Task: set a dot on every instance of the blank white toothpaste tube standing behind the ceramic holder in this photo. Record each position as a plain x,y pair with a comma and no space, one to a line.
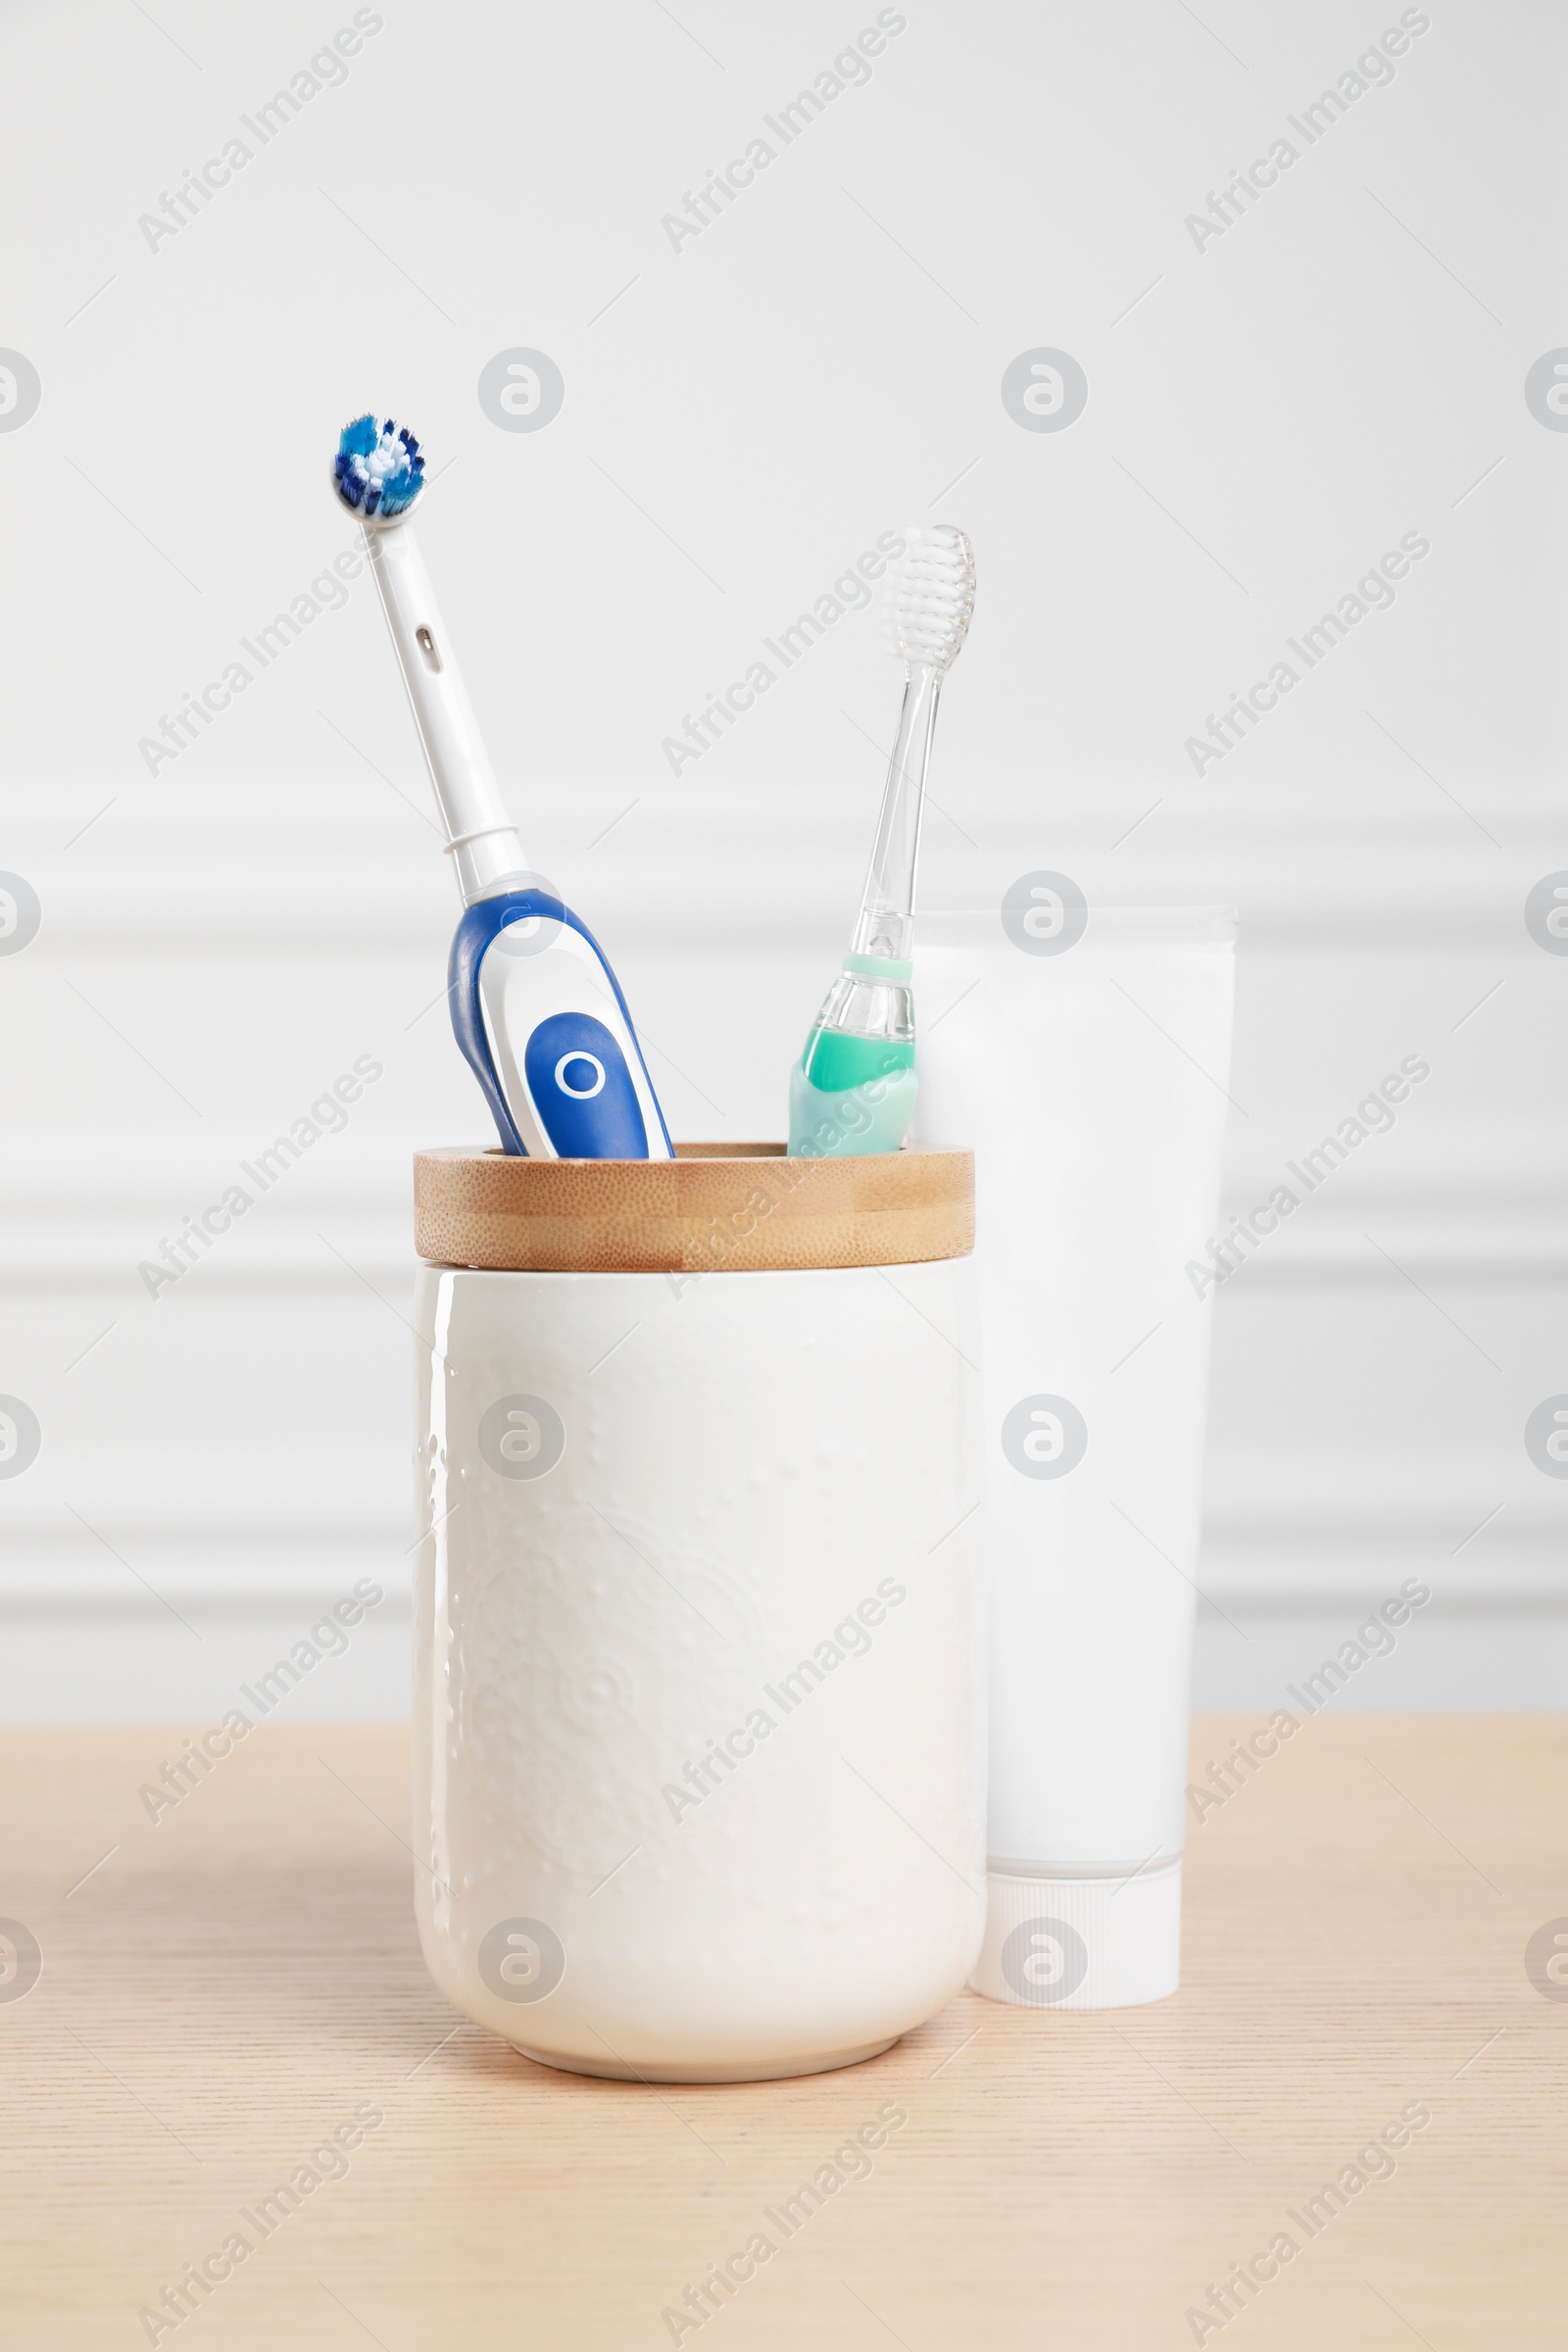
1085,1055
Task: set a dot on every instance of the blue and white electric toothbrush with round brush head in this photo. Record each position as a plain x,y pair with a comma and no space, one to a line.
535,1005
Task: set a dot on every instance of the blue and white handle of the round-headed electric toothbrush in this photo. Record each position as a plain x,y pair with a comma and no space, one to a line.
544,1027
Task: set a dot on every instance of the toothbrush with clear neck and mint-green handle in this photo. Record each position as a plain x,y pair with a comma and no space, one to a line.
852,1093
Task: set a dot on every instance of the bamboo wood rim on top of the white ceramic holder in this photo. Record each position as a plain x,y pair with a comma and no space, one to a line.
713,1210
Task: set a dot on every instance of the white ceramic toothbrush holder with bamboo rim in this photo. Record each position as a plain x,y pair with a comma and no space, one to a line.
699,1716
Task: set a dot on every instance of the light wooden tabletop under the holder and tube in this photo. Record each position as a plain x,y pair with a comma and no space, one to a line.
239,1982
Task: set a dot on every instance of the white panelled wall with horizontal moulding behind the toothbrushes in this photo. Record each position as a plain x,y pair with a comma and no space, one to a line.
744,415
